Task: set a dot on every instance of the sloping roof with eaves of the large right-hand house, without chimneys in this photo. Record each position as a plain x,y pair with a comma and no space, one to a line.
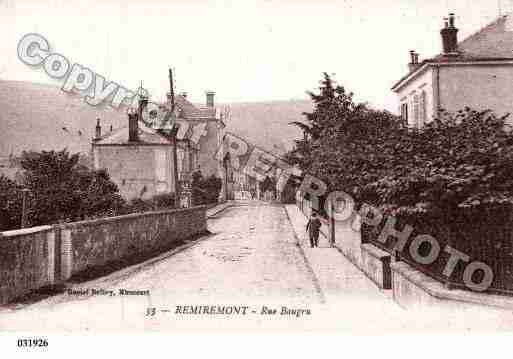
494,42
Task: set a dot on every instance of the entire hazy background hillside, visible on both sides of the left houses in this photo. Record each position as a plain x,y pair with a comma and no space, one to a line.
42,117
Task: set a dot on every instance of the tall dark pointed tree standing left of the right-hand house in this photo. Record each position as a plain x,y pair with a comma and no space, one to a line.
340,138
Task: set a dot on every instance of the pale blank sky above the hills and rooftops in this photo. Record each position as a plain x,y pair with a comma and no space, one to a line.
245,51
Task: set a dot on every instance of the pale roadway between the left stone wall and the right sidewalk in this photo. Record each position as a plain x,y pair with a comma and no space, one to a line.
251,259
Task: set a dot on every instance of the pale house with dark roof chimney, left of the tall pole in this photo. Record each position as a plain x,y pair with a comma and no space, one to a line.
138,158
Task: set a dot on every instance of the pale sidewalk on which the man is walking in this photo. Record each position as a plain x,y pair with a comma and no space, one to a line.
338,278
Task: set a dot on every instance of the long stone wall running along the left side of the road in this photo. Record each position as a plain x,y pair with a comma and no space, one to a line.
43,256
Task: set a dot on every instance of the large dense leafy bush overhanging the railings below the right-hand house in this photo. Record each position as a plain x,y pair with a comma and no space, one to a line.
458,163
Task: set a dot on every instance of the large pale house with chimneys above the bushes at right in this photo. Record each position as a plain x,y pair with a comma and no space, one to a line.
476,72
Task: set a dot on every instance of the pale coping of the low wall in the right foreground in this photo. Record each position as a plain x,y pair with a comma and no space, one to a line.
438,290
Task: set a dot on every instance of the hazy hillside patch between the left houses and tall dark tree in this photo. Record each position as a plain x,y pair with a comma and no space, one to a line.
266,124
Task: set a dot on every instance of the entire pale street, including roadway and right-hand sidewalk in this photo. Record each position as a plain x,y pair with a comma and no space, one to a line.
249,273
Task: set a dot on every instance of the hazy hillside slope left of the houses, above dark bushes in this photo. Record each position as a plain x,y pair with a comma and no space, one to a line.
36,116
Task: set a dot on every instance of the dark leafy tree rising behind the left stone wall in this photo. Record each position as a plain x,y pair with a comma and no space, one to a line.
61,189
